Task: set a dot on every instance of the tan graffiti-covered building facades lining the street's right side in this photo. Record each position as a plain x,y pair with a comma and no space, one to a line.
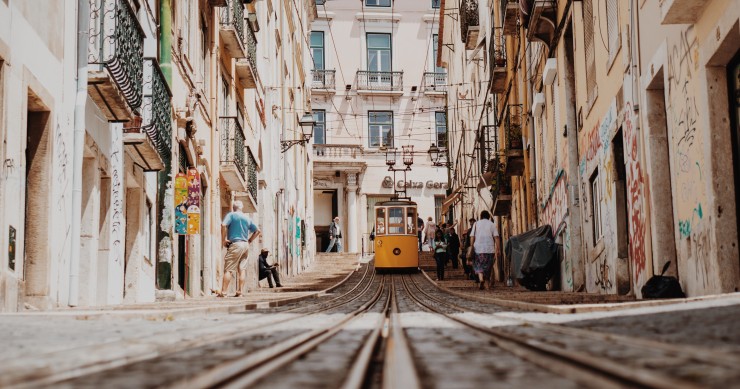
627,119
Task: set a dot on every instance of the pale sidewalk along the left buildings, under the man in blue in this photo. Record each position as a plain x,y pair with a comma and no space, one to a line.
325,272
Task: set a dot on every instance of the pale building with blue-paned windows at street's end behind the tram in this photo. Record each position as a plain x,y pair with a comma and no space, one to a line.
384,92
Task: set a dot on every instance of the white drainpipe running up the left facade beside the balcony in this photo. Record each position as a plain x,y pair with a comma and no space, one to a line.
83,27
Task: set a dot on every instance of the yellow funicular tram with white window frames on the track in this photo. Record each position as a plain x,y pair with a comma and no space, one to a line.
396,242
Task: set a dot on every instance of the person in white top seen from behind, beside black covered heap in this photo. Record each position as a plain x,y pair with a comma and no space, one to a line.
484,239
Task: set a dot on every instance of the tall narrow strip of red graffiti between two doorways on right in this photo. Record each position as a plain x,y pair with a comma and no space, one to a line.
636,192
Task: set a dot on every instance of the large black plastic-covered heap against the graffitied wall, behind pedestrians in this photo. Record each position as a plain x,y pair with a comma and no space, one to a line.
532,256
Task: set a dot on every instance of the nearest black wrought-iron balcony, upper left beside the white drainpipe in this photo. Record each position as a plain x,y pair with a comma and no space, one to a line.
116,59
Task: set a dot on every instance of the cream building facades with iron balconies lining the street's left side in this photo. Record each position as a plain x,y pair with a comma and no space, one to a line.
109,116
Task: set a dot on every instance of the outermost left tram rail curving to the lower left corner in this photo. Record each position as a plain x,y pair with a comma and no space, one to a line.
122,371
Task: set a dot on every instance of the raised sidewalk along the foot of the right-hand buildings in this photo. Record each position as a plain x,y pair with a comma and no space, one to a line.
518,297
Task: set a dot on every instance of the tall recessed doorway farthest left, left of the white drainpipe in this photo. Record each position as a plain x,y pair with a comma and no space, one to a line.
36,269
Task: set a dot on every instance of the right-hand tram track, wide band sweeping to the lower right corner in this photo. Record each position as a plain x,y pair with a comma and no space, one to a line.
595,358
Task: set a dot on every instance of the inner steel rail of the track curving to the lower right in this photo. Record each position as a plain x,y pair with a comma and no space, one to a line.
585,368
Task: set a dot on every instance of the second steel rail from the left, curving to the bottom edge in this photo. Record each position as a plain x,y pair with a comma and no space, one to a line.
248,370
